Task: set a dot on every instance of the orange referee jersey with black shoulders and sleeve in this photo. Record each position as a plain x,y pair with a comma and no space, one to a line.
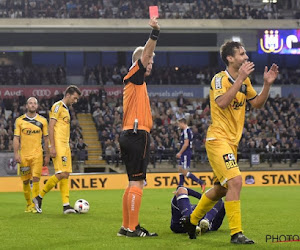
136,104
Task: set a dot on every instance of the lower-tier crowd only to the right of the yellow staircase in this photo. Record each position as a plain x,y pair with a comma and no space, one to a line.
273,131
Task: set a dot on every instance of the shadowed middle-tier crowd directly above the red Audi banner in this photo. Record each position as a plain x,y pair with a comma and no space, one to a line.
113,75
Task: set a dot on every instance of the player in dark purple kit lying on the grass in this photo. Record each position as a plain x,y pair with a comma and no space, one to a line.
181,206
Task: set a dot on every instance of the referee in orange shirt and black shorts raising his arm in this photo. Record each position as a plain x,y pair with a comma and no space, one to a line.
135,138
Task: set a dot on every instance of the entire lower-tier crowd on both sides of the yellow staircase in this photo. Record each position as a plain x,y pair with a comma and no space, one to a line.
273,131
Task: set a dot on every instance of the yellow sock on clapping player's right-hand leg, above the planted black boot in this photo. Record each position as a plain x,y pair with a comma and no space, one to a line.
233,212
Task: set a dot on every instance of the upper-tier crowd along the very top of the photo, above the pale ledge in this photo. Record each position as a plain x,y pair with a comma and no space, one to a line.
184,9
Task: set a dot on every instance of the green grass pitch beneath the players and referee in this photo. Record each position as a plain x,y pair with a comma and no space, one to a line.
265,211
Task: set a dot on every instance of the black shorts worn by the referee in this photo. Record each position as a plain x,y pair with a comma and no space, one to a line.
135,151
